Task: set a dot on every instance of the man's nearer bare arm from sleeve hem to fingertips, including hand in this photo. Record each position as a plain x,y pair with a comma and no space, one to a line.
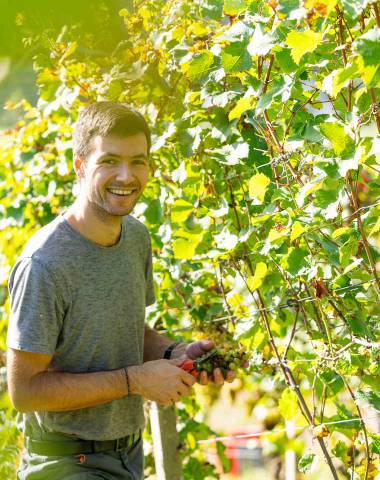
33,387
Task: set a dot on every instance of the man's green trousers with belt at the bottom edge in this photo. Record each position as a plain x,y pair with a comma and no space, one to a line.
126,464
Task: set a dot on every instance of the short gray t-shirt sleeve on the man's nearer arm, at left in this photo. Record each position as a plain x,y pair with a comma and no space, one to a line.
37,309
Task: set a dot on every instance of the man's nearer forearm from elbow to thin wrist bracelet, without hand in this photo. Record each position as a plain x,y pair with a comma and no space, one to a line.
53,391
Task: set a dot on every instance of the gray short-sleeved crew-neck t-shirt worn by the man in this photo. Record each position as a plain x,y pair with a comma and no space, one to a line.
85,304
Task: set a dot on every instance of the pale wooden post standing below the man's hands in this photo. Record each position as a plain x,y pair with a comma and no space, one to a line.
165,442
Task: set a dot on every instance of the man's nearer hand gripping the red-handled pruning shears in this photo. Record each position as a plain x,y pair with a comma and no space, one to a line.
162,381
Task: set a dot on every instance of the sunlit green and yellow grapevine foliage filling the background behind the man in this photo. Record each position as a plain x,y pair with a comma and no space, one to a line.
265,187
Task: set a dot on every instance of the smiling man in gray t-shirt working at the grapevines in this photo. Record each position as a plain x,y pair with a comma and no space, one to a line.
80,357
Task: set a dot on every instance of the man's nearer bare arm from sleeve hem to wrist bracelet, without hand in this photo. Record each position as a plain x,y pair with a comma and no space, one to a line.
32,387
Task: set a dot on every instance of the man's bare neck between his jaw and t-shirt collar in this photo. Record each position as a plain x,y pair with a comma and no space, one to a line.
93,223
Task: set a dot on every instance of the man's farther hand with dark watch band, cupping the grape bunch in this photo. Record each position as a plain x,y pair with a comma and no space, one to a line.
197,349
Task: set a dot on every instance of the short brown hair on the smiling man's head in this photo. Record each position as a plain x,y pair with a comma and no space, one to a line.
106,118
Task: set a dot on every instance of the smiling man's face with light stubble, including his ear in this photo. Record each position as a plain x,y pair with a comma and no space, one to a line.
115,173
